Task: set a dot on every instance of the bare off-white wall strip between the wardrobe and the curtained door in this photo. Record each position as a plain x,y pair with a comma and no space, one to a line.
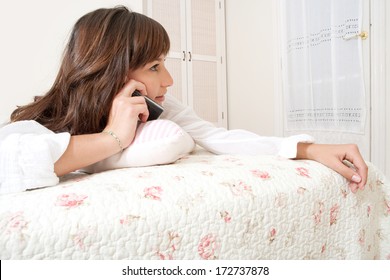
250,62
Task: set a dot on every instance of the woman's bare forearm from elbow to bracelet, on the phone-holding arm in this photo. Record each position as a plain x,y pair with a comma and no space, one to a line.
84,150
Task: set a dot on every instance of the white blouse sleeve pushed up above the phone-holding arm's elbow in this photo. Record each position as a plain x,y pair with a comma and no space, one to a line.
28,152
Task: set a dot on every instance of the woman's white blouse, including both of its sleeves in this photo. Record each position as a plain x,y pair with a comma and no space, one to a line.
28,150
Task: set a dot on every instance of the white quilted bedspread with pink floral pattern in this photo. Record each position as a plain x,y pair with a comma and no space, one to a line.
201,207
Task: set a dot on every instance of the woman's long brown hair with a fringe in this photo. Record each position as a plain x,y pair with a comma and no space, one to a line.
103,47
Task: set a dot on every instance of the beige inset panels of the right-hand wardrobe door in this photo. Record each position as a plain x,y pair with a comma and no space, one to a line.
202,66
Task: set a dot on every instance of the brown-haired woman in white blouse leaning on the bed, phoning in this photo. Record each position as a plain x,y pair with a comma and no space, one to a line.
90,108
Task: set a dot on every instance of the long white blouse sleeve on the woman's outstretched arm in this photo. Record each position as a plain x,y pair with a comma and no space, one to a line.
222,141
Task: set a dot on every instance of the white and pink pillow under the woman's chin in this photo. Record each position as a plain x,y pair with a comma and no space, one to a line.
156,142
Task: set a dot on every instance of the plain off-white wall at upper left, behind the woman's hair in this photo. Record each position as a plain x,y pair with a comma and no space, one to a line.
34,34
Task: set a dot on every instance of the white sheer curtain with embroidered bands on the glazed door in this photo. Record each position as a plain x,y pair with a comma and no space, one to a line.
322,65
